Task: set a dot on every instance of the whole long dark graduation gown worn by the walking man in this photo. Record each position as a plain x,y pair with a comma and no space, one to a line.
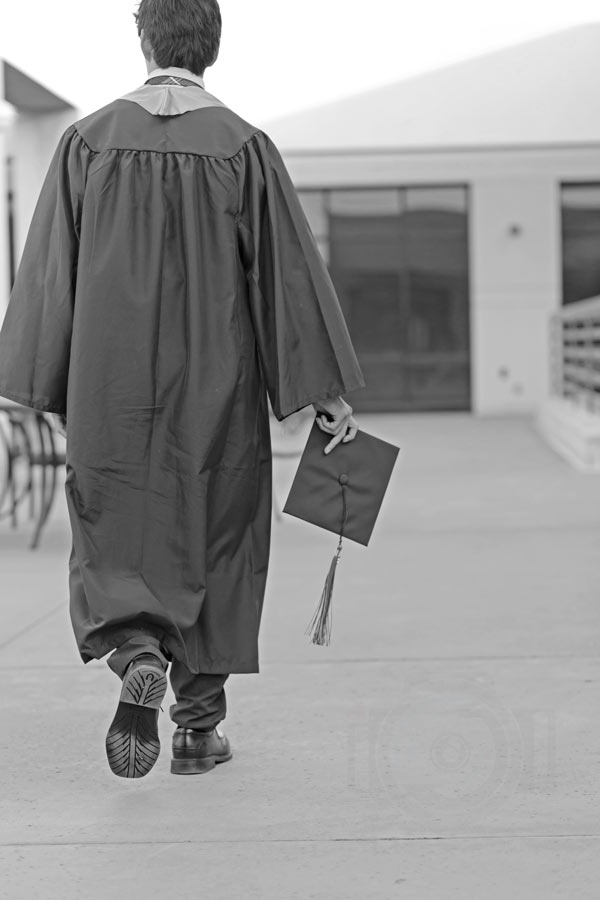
168,284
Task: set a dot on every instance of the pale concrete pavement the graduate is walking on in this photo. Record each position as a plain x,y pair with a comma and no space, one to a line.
445,745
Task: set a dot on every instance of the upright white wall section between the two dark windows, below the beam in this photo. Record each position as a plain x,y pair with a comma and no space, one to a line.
515,287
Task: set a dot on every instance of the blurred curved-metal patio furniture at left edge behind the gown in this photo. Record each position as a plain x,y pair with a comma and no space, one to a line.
30,455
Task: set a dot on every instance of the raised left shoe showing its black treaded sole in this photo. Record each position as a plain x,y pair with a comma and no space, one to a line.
132,744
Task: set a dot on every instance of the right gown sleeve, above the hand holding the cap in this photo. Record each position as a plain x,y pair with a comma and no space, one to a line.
303,342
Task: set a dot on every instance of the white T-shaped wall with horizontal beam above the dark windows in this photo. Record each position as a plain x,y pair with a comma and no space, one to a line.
515,279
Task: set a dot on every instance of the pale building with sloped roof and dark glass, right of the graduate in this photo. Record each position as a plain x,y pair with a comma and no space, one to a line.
457,212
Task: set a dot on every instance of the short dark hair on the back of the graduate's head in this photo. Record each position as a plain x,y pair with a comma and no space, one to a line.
182,33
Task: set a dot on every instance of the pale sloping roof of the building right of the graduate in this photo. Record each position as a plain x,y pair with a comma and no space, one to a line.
539,93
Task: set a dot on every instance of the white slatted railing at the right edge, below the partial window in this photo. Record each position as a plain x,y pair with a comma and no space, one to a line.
575,354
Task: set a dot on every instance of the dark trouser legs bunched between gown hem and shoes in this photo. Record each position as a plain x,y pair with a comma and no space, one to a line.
200,699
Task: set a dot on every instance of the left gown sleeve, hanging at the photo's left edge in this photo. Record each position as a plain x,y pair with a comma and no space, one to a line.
35,339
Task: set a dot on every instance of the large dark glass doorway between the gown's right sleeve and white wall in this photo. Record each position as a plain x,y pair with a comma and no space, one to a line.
399,259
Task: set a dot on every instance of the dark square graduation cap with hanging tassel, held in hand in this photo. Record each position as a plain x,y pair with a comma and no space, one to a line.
341,492
